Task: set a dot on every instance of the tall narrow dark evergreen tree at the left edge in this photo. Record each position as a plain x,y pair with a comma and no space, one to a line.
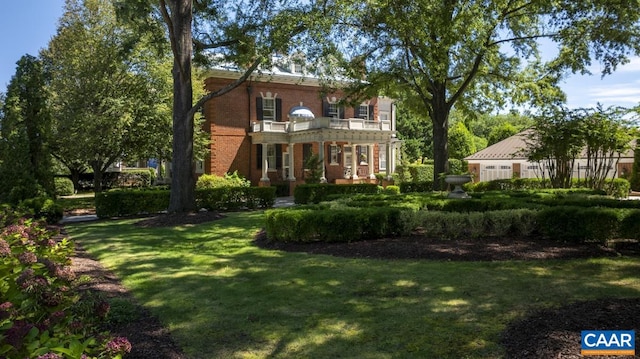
25,130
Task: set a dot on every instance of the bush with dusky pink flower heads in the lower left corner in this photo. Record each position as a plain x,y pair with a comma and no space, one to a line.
42,313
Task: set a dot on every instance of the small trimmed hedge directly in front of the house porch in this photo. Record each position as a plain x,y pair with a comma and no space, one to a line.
316,193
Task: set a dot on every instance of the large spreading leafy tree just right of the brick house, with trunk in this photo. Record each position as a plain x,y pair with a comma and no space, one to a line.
479,54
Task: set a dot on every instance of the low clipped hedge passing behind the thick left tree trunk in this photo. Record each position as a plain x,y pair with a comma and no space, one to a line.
128,202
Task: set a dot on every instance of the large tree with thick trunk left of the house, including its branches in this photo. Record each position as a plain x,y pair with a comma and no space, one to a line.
244,33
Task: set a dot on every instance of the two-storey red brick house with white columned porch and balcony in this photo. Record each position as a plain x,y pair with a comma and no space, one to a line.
267,127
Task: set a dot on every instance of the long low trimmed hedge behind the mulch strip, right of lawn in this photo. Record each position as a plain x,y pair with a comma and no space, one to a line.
572,219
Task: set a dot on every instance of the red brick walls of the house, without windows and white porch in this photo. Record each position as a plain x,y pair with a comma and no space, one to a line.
229,119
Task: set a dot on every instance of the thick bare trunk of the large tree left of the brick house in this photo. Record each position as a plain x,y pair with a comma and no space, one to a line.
182,197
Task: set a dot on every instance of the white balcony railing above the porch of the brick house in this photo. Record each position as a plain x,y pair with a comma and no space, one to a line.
322,122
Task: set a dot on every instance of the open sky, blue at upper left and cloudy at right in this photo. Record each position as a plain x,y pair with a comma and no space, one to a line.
26,26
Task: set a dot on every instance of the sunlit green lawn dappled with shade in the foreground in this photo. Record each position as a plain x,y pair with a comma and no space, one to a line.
222,297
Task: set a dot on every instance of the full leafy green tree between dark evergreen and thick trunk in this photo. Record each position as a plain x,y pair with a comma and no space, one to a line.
108,101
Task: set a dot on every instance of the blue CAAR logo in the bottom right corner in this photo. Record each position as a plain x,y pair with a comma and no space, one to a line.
608,342
